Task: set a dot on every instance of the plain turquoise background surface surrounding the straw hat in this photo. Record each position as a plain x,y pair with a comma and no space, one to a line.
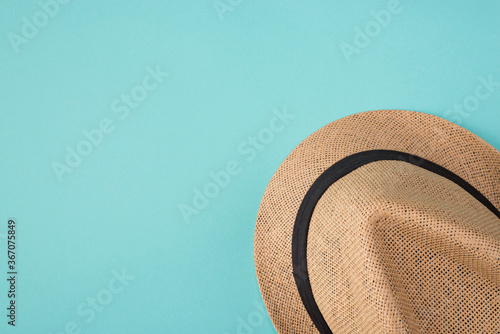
119,208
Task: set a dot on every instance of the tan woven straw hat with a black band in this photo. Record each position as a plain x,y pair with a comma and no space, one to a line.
383,222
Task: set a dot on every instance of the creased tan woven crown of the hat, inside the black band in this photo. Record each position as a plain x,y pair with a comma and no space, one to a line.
384,239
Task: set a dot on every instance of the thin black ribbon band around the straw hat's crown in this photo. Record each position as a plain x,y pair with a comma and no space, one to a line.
322,183
